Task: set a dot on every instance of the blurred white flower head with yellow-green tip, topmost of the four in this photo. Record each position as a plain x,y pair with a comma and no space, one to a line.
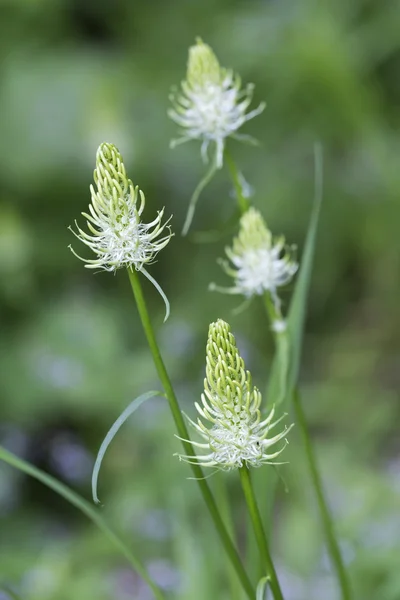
211,105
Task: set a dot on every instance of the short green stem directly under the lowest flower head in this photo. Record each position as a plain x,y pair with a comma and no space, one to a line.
259,532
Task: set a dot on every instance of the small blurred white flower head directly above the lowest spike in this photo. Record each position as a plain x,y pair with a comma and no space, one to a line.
260,263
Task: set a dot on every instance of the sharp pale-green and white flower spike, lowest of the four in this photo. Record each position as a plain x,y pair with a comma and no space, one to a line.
236,435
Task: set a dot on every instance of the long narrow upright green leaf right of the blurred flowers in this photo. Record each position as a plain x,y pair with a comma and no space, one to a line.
297,310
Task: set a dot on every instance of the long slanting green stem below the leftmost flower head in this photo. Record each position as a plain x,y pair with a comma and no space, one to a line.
183,433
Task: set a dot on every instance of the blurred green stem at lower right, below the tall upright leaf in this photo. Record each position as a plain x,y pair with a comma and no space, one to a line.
326,518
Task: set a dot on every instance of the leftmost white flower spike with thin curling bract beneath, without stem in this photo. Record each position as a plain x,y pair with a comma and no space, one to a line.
116,233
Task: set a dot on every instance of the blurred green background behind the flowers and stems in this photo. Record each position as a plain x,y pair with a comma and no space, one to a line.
75,73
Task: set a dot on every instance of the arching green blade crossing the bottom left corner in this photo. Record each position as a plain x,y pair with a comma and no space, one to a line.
85,507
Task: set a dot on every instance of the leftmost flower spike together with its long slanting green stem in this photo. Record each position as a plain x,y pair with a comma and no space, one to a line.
119,239
